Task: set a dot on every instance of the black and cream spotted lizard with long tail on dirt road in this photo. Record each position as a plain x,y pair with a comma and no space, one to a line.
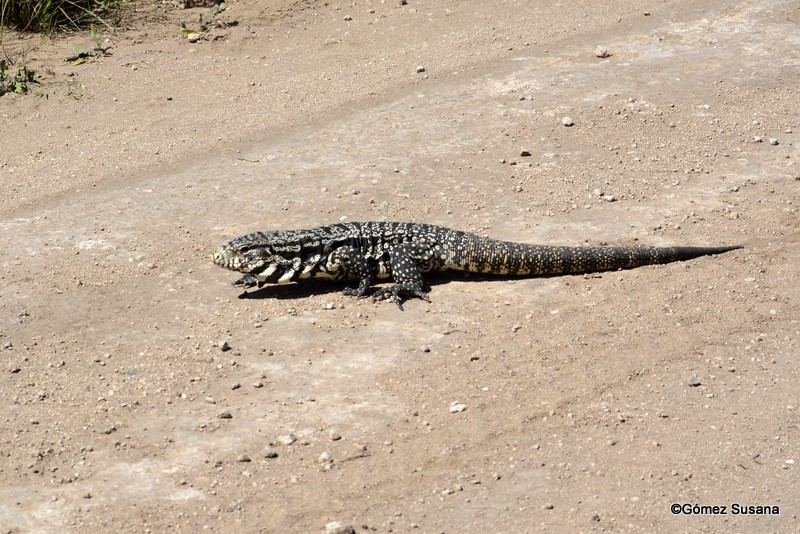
369,251
